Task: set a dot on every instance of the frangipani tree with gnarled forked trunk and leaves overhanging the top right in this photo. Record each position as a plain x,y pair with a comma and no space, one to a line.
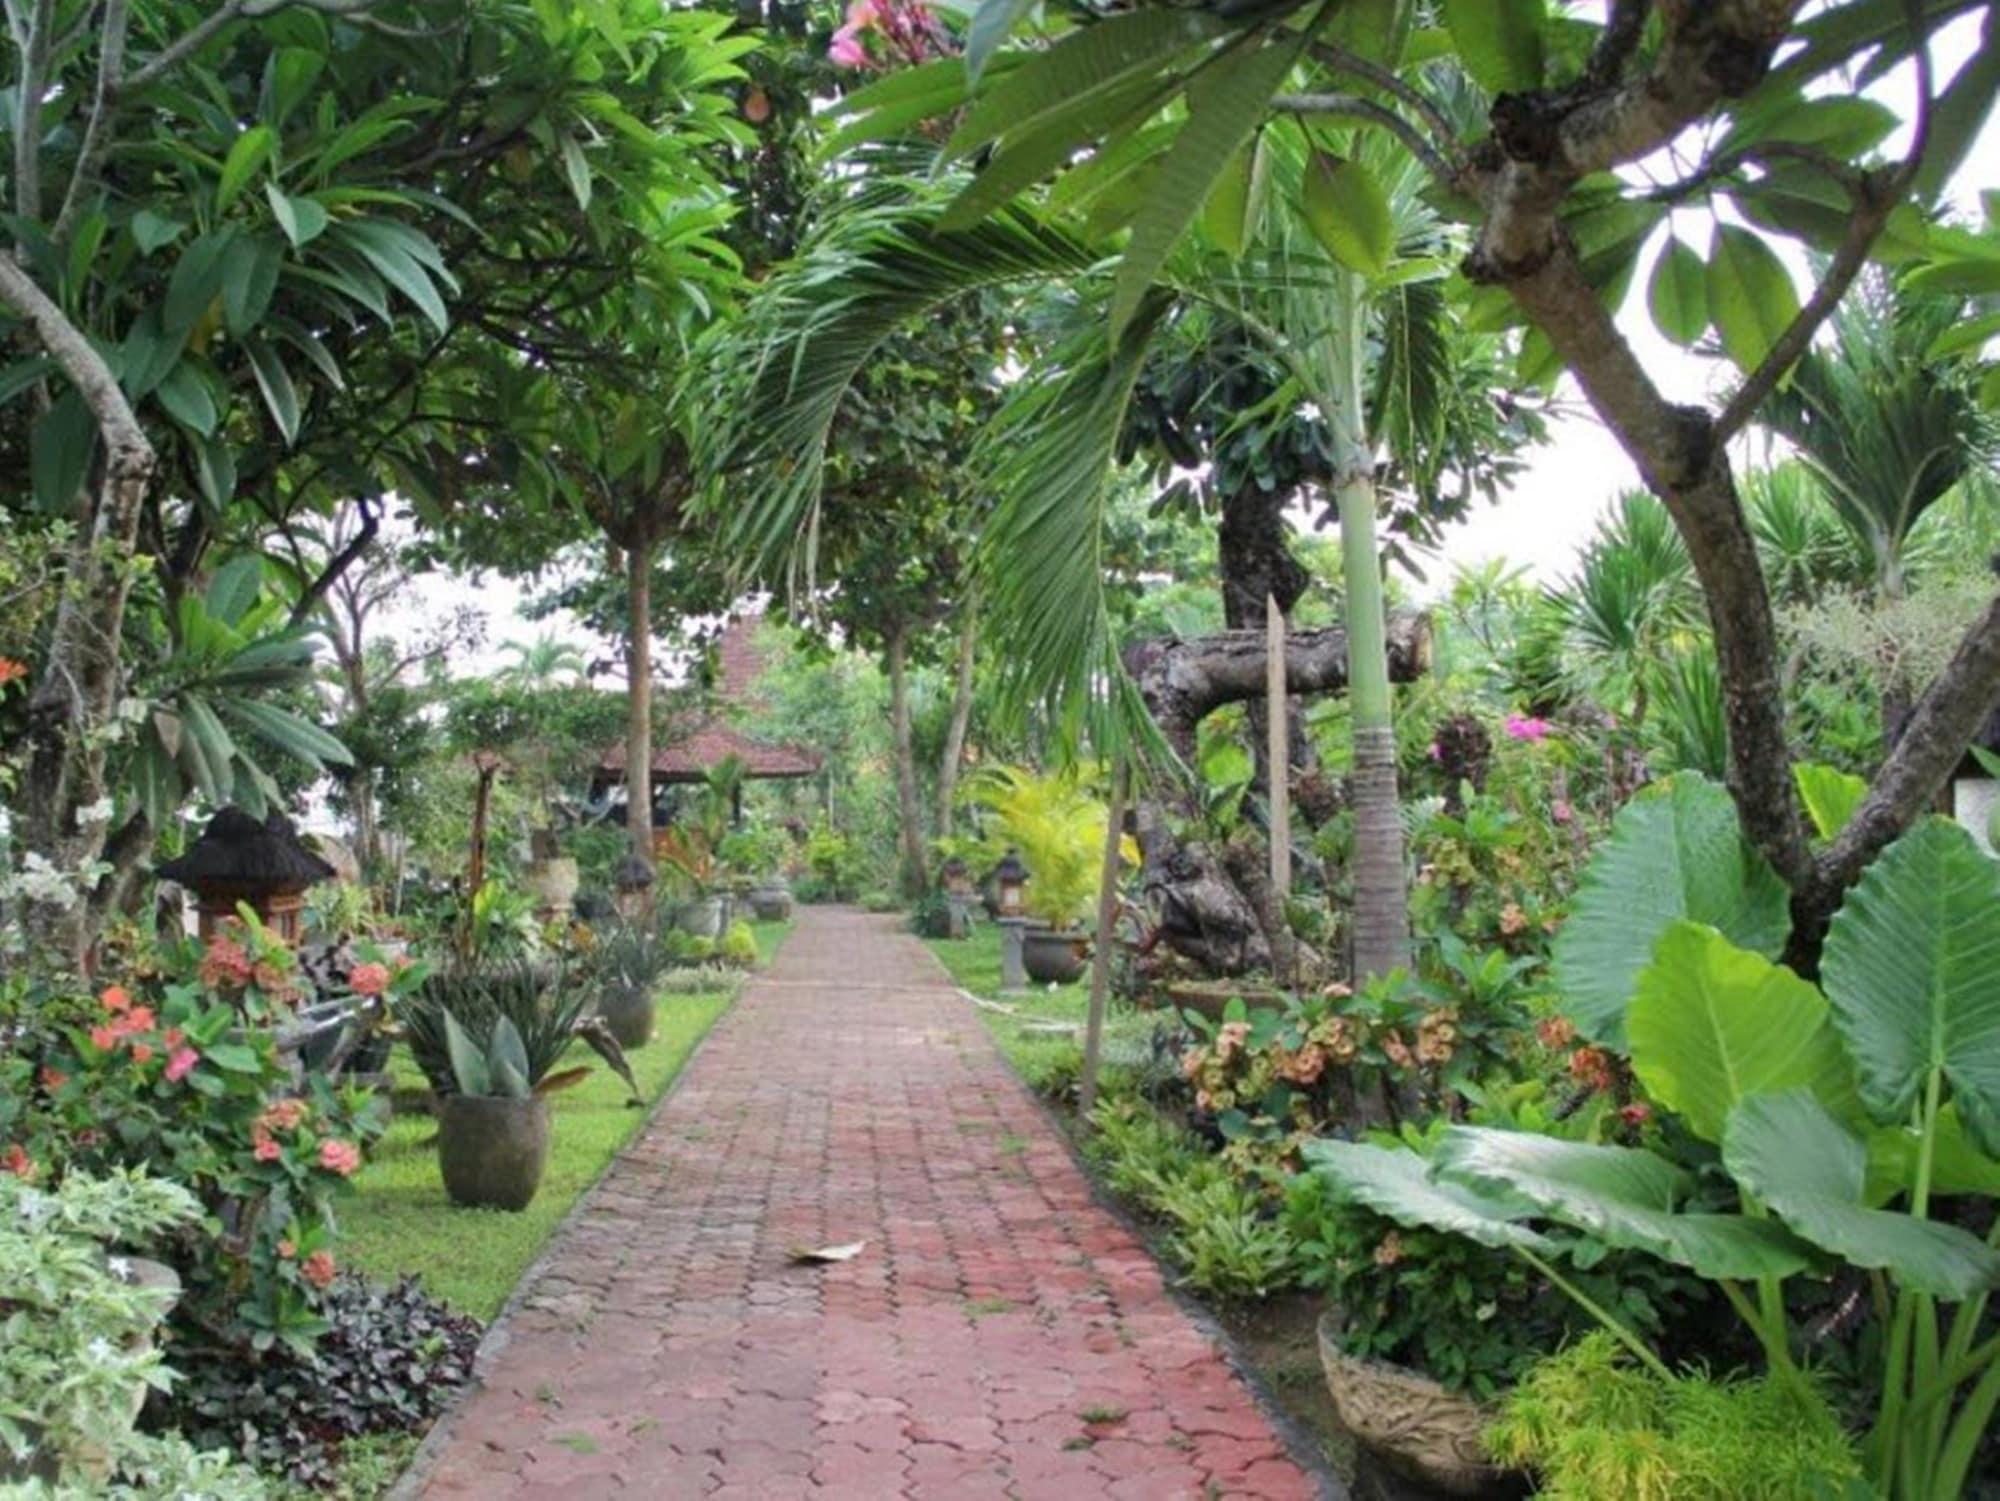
1143,117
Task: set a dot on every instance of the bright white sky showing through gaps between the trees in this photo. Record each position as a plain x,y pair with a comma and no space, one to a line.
1539,525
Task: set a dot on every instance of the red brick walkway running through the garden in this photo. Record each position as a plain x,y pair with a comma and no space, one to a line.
999,1338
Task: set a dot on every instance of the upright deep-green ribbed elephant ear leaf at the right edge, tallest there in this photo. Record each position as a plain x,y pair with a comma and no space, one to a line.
1911,970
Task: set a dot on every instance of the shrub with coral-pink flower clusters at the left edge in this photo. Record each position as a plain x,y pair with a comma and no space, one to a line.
185,1078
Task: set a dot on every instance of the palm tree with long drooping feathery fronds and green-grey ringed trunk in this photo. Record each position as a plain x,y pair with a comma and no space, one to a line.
1053,447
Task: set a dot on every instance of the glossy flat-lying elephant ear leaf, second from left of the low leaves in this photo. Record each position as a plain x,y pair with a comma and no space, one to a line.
1619,1196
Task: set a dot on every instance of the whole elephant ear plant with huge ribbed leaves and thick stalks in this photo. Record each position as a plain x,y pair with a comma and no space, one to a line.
1843,1112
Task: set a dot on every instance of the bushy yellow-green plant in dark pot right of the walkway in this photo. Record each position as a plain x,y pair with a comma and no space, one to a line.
1059,830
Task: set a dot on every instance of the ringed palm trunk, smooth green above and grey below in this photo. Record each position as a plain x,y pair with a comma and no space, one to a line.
1381,890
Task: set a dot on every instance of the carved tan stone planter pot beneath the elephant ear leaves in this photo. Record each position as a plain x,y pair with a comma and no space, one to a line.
1427,1440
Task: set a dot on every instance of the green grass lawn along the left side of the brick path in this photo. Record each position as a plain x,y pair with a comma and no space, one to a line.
399,1220
